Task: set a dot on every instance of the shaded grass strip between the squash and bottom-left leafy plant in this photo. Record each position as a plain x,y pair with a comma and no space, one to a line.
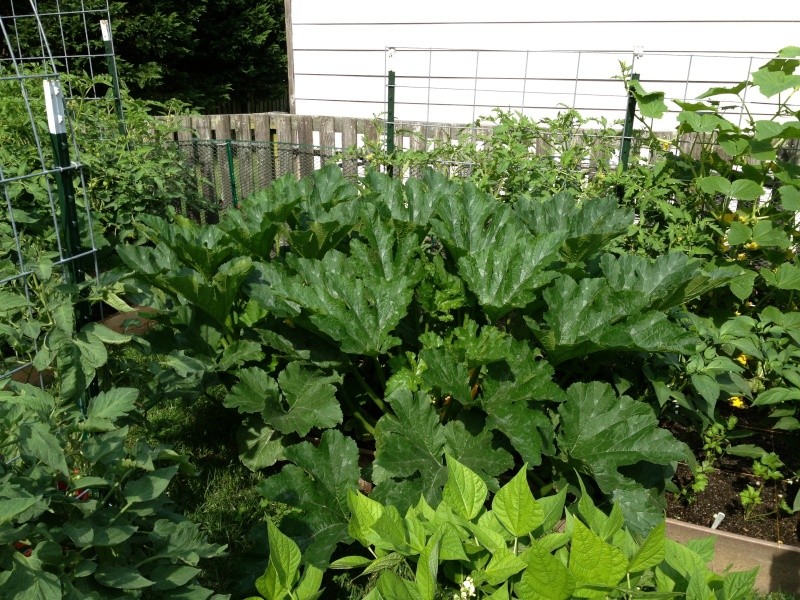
221,494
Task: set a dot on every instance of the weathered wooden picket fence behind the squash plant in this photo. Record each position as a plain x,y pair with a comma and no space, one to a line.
236,155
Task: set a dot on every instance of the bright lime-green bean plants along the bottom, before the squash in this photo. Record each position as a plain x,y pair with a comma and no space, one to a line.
509,546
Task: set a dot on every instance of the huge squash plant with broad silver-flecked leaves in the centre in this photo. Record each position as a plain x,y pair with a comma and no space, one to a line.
423,318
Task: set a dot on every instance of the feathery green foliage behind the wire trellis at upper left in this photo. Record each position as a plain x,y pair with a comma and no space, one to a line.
127,171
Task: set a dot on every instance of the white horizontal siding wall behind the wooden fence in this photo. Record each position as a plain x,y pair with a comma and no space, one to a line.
523,54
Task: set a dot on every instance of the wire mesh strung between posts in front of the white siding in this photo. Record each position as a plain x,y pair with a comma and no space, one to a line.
457,84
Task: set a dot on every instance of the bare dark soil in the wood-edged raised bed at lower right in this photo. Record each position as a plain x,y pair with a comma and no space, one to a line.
732,475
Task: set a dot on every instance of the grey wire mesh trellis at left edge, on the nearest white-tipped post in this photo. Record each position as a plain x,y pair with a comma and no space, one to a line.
35,251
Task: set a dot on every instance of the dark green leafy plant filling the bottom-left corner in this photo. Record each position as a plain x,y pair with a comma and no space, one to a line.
83,508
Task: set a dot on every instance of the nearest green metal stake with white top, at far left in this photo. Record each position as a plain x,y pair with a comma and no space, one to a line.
57,125
